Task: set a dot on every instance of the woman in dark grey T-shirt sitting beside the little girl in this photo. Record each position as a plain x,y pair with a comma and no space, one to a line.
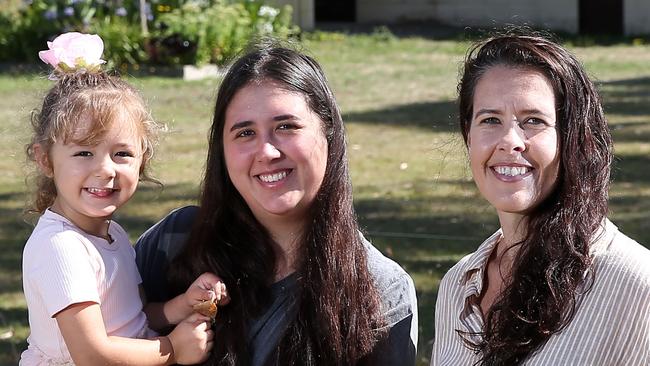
277,224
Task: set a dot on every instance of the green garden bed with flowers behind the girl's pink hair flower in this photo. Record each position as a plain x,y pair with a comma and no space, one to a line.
159,32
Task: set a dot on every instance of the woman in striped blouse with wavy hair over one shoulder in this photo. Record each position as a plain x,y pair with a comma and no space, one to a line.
558,284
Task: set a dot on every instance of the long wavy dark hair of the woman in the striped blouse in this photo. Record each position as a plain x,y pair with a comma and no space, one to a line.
553,259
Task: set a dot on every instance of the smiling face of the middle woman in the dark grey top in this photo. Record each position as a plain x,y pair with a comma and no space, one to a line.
275,151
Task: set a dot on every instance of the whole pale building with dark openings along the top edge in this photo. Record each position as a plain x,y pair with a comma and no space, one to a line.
616,17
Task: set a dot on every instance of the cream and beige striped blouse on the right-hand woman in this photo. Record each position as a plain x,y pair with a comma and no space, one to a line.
611,325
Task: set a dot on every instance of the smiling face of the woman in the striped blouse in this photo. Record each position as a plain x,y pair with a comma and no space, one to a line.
513,141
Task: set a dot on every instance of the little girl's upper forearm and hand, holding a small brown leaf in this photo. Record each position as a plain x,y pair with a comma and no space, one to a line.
206,287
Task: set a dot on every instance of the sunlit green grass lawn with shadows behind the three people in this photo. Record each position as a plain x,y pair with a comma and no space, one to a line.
413,191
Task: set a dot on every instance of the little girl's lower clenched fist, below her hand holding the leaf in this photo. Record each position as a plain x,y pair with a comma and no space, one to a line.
192,340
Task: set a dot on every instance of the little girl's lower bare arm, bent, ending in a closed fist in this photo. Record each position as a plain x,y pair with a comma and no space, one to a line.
82,327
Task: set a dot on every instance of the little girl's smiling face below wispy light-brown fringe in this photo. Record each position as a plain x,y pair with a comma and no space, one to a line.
92,181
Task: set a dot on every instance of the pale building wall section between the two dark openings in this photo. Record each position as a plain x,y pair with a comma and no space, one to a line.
553,14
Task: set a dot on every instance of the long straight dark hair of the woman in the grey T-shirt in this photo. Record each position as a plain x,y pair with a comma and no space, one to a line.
338,304
